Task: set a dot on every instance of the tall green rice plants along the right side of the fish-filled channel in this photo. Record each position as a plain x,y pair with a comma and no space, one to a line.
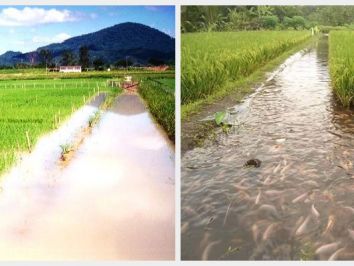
341,54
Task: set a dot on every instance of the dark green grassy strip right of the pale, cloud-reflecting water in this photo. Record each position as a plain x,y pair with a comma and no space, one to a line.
160,97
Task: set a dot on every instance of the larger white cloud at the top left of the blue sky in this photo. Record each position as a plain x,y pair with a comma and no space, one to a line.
29,16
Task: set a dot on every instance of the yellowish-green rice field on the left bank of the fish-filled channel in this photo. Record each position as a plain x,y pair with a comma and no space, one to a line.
210,60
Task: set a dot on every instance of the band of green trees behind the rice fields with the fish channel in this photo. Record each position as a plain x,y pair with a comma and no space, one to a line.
236,18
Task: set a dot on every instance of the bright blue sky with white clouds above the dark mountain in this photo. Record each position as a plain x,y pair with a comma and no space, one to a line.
25,28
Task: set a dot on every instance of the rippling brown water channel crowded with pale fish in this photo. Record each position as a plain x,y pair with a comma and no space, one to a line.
300,198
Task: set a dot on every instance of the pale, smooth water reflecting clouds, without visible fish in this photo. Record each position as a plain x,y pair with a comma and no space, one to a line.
115,200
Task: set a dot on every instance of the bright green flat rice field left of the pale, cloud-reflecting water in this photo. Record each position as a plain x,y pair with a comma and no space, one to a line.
31,108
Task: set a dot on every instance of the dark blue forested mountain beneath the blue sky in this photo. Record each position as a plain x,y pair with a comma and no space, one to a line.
135,41
